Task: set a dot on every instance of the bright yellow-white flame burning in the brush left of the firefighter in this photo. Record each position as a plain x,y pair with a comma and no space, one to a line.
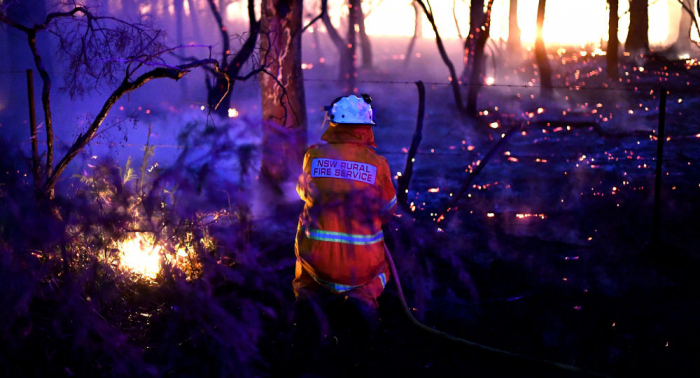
140,255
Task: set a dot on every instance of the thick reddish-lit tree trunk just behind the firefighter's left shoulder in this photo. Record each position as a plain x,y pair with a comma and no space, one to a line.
284,121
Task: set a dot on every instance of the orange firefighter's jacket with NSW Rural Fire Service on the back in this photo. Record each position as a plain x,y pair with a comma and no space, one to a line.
349,195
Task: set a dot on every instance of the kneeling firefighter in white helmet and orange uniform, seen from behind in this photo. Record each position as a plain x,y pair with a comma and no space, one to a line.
349,195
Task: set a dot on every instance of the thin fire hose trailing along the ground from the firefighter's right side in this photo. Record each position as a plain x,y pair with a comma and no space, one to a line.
462,341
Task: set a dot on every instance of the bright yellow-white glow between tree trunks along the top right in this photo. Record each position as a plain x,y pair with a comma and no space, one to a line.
566,22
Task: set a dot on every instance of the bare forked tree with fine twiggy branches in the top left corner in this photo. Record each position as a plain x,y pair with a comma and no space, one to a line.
100,52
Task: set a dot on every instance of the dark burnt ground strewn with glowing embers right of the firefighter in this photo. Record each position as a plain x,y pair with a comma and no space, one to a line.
549,253
